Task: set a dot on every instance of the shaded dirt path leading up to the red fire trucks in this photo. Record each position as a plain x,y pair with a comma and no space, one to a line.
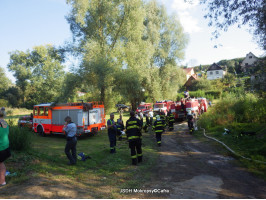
189,168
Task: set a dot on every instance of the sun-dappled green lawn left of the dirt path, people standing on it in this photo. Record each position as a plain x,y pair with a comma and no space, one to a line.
46,159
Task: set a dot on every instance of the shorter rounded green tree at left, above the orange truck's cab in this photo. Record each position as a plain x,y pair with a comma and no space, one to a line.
39,73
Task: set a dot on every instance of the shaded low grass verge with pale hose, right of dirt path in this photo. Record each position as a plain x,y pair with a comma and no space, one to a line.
253,147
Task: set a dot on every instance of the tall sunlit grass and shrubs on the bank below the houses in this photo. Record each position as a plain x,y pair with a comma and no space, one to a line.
239,108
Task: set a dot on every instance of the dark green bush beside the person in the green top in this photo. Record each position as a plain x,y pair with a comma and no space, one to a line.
19,138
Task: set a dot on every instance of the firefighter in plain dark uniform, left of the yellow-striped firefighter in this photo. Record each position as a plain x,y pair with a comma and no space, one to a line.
112,130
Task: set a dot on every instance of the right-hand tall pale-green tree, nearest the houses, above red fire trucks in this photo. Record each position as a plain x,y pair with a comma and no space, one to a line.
166,36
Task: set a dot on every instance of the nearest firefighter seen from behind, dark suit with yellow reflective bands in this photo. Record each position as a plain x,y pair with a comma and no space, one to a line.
133,131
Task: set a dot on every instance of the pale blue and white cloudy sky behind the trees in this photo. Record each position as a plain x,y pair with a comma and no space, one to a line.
28,23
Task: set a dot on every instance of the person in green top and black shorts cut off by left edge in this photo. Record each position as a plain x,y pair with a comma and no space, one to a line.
4,146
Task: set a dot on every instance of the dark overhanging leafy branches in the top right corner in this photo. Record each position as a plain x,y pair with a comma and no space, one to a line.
224,13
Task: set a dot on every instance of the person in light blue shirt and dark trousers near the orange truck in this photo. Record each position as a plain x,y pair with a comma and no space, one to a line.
70,129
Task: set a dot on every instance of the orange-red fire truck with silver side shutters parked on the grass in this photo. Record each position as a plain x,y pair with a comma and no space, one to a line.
49,118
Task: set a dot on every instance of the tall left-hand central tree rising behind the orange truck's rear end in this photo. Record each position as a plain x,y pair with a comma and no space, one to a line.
99,28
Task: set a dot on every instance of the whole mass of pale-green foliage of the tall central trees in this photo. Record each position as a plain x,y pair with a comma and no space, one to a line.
127,46
